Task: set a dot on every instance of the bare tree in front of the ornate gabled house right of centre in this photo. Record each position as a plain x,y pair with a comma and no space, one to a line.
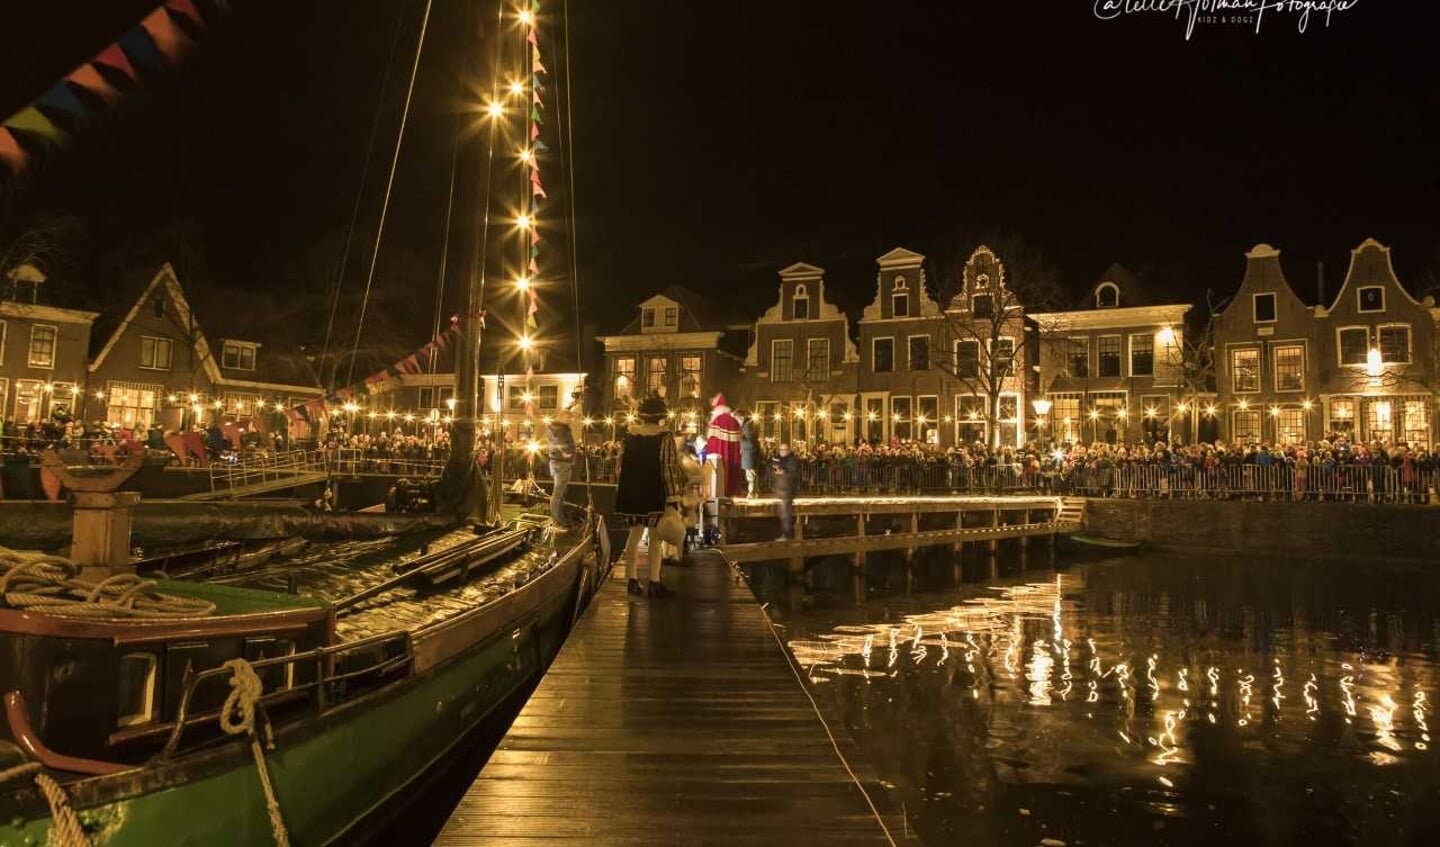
993,286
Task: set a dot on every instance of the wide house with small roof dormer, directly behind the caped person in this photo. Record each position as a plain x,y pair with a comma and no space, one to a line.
679,346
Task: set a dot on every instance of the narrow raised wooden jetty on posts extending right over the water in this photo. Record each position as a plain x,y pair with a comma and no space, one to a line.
891,524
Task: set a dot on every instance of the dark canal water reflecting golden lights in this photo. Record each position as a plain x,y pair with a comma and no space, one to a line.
1156,699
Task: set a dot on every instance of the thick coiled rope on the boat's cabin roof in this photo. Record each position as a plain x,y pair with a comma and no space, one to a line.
40,583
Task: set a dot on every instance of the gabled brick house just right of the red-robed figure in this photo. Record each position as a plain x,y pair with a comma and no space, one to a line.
801,371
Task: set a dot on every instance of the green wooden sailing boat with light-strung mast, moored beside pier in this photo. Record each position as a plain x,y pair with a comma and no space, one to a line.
233,715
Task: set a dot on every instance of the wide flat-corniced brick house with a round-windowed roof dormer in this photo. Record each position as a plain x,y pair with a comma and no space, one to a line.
1112,369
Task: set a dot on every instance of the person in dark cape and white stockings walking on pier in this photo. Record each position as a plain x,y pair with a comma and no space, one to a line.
652,480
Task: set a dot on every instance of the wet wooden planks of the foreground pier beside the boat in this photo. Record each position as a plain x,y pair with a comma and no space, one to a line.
667,722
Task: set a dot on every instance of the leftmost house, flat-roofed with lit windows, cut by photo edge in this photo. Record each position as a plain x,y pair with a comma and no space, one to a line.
42,357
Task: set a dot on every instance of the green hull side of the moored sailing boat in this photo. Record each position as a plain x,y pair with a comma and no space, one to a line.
336,773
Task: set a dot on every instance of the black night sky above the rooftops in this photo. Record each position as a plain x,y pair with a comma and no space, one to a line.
718,142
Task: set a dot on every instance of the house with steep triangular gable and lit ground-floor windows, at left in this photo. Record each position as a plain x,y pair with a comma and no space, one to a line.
161,367
